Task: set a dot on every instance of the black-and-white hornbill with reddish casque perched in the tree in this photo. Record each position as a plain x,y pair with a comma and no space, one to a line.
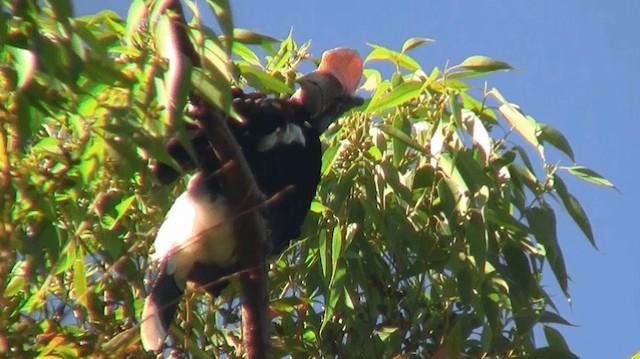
280,139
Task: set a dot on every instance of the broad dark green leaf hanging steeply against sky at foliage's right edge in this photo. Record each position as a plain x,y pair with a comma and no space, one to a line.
542,222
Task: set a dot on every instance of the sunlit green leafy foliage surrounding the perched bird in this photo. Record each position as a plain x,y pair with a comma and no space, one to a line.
430,234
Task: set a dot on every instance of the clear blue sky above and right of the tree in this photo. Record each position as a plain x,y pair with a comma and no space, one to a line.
577,69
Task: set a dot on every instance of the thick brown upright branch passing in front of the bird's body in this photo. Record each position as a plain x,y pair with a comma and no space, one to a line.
242,194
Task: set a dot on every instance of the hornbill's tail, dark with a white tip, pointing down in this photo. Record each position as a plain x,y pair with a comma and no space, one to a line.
159,310
